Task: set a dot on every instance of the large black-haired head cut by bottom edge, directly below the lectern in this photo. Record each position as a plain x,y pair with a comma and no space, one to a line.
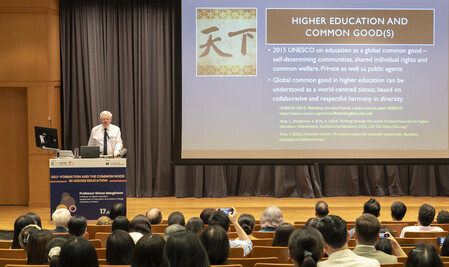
78,251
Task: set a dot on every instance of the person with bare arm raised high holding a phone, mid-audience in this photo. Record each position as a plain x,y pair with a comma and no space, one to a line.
221,219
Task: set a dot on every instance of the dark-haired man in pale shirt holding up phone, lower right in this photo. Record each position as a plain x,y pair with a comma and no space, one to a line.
367,229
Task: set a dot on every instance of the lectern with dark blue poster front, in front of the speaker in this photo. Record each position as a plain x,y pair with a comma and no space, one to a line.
88,187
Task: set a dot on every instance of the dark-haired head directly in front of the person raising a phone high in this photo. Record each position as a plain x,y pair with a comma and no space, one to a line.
216,242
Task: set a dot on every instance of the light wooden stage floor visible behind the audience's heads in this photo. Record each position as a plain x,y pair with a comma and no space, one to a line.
294,209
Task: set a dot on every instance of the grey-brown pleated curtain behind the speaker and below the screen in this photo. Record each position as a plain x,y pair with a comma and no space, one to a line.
118,55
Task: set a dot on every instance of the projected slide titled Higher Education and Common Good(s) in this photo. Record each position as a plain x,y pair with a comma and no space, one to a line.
314,79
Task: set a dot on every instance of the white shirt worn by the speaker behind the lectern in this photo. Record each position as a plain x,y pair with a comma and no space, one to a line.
114,143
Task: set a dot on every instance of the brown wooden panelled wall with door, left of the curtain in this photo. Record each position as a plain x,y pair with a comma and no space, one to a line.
29,96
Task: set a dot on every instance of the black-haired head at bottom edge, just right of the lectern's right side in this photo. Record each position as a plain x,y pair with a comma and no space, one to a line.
148,251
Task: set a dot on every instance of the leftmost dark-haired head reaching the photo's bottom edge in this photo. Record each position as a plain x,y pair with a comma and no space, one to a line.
36,252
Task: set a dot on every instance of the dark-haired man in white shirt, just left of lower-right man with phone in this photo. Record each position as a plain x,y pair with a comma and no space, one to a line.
335,235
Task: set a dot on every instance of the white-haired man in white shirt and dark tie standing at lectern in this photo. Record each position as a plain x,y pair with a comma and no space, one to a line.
107,136
